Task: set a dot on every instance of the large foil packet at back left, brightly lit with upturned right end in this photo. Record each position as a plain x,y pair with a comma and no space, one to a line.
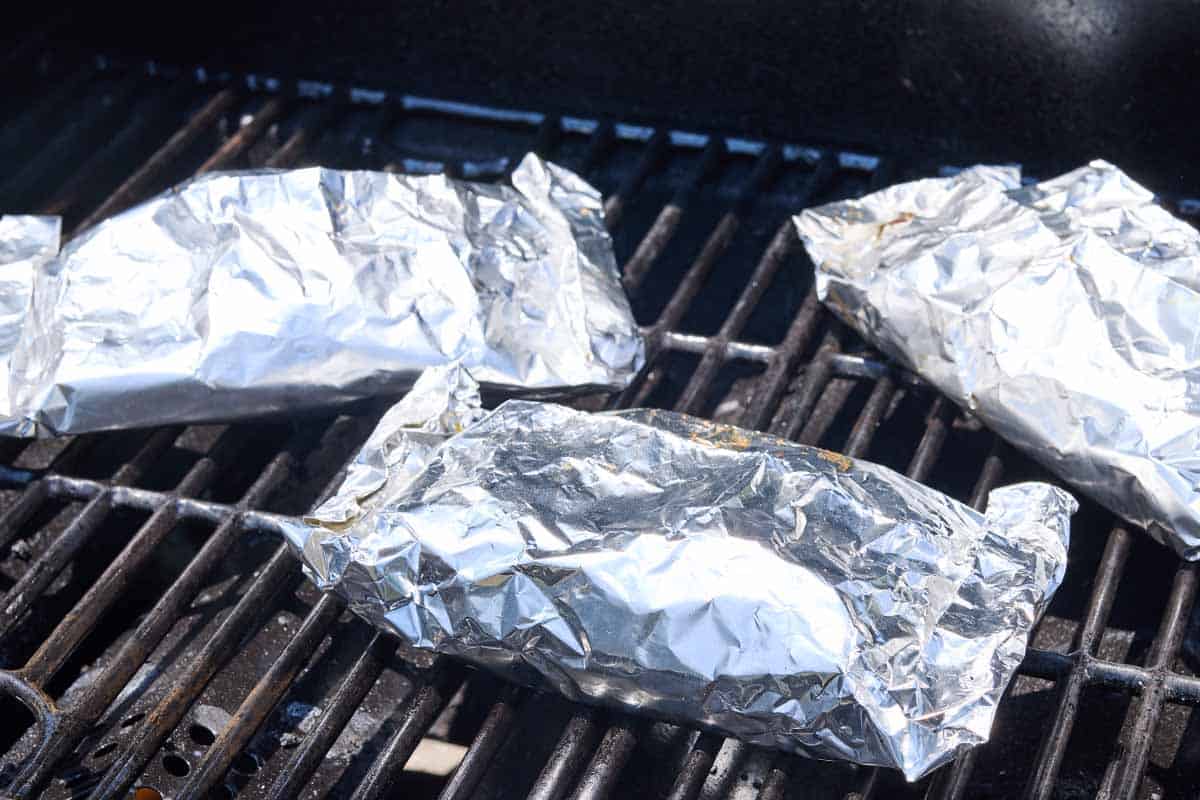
242,294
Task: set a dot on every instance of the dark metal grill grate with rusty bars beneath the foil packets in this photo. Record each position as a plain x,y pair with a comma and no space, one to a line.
159,640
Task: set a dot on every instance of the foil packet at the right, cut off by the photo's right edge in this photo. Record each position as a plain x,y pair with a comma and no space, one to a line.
1064,315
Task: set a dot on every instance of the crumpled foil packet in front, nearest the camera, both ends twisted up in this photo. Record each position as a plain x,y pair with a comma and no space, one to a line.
655,562
